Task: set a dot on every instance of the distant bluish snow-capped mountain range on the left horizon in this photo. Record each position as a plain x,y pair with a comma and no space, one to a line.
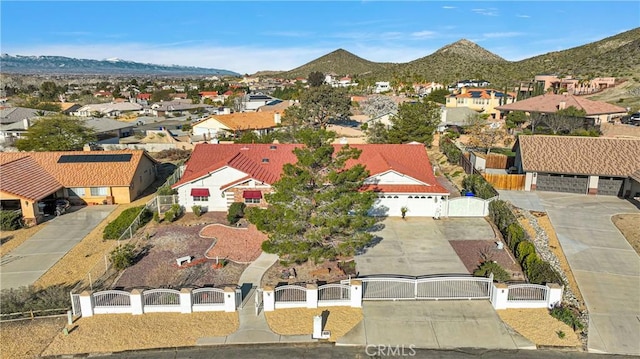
59,65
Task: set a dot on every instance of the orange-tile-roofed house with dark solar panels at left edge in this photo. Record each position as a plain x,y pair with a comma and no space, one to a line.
91,177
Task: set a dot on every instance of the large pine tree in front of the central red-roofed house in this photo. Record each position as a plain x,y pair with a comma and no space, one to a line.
317,210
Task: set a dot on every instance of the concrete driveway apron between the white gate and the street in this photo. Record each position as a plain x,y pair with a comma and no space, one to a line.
433,324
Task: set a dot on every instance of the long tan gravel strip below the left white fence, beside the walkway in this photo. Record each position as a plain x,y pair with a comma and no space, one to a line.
118,332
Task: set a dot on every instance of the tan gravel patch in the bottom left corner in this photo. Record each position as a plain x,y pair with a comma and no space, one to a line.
28,338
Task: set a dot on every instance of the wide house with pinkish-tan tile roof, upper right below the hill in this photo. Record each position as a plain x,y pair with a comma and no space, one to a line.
597,111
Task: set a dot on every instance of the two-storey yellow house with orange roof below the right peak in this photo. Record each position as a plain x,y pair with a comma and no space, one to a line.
483,101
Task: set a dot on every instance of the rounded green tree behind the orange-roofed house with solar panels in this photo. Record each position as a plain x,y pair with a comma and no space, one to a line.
56,133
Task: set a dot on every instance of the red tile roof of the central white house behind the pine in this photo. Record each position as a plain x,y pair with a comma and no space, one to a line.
264,164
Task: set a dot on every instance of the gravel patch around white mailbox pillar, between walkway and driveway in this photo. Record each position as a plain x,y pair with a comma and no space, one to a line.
296,321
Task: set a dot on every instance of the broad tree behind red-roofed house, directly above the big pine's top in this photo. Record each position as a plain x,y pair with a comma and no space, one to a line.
322,104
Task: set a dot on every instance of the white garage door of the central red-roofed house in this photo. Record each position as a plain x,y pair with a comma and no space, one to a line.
420,205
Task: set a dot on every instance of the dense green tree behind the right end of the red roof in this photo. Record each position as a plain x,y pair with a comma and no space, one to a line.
415,122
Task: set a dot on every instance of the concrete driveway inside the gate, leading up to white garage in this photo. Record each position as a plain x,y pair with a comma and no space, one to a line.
420,246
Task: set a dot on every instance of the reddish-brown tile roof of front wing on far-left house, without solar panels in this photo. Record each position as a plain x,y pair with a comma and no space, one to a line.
23,177
